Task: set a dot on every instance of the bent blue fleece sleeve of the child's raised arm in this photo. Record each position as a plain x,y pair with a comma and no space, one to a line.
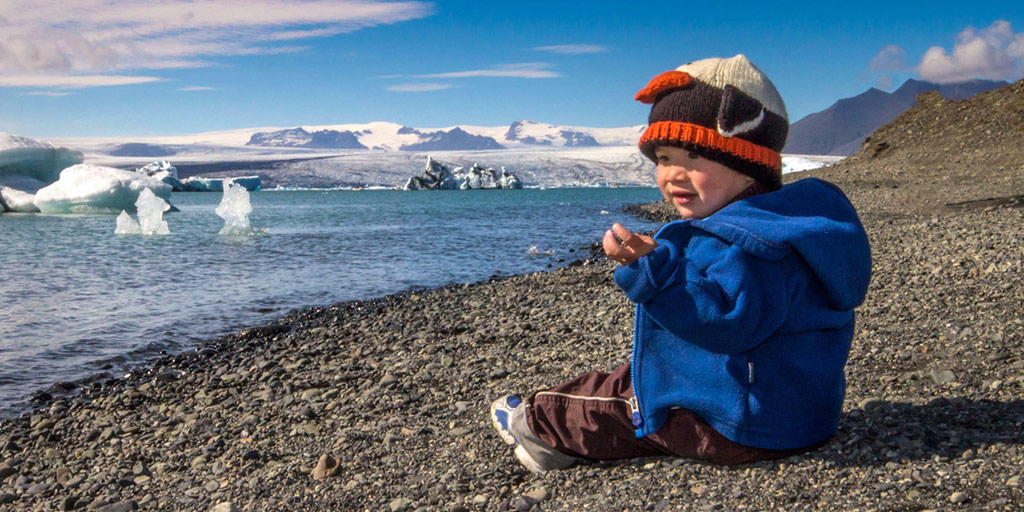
729,306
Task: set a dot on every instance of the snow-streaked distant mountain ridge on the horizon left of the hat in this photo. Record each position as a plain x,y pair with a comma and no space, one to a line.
391,137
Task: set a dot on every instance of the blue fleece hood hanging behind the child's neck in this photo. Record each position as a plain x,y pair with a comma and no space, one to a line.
812,218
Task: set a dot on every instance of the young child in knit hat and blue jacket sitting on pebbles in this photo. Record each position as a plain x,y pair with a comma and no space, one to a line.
745,309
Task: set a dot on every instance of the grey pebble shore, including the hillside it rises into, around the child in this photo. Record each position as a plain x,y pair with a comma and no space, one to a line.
382,405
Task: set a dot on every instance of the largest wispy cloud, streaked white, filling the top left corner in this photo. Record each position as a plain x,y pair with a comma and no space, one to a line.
100,36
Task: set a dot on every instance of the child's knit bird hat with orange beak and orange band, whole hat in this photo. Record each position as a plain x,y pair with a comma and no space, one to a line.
726,110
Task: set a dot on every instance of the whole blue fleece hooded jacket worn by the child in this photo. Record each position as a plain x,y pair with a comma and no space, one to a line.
746,317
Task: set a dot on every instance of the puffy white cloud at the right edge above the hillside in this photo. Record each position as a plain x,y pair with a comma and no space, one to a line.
993,54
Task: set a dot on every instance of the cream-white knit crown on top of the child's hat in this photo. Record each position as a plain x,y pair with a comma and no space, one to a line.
742,74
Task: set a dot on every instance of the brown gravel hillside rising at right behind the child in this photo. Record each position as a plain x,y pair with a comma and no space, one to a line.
941,154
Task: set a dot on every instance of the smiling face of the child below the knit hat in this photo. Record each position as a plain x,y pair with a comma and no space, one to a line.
695,186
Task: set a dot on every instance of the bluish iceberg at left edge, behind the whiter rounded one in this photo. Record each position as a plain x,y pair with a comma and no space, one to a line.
36,159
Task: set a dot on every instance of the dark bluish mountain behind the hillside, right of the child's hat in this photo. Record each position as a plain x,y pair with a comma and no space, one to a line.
842,129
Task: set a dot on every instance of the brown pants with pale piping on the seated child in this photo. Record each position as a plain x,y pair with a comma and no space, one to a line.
590,417
